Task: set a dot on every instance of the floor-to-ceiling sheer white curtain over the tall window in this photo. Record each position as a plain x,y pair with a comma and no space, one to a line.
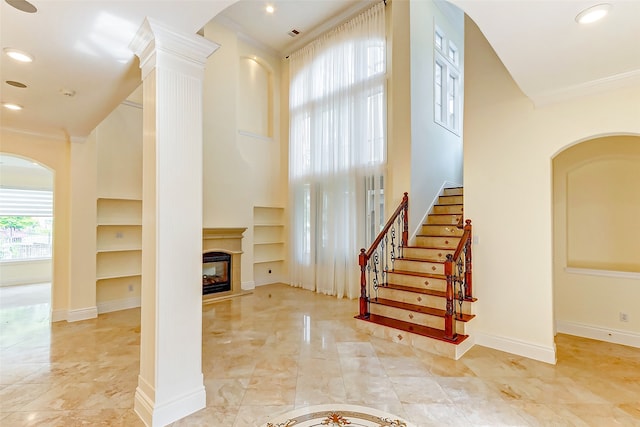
337,152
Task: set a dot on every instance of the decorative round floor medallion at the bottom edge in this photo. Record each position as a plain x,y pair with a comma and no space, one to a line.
337,416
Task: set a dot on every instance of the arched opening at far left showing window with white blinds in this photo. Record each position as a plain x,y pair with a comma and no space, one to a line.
26,243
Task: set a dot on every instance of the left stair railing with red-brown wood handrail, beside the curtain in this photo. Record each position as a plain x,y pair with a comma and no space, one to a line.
374,262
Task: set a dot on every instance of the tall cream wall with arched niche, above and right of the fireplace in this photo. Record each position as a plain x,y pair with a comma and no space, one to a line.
243,155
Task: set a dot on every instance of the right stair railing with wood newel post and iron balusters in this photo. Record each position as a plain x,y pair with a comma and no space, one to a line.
458,270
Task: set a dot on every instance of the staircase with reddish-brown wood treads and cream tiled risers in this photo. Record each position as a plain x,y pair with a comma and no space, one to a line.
410,303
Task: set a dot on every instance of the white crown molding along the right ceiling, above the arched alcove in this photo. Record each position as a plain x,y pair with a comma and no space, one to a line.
587,88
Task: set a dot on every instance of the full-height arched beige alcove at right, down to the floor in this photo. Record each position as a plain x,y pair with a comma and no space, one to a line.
595,202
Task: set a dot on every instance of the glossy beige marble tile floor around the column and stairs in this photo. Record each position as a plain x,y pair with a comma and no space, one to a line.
284,348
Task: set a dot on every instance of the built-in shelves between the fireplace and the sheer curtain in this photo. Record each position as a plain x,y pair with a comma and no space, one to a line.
268,244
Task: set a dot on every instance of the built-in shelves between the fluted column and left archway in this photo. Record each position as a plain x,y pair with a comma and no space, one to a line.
118,244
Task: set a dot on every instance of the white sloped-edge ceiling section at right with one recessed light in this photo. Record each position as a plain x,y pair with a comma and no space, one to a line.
553,58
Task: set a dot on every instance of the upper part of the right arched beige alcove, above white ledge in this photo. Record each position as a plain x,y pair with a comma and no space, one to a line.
596,185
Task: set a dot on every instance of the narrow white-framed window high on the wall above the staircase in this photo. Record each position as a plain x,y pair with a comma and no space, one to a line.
446,82
